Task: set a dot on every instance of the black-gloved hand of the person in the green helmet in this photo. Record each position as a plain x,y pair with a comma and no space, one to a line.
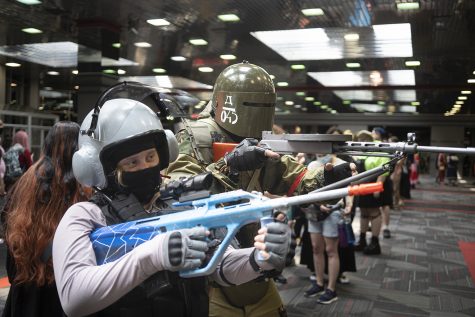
247,156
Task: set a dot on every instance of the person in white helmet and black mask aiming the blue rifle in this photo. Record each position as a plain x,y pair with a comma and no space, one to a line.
122,149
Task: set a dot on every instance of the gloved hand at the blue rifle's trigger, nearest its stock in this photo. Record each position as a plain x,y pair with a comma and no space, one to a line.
184,249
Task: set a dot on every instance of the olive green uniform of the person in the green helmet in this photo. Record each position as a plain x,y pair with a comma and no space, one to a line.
279,177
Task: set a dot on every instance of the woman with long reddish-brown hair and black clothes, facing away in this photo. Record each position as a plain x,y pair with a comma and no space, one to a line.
35,206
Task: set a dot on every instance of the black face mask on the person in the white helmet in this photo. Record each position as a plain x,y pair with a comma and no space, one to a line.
144,183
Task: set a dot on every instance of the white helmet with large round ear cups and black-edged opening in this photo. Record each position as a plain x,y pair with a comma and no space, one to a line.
120,128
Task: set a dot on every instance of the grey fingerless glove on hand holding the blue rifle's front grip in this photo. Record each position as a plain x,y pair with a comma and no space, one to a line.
278,244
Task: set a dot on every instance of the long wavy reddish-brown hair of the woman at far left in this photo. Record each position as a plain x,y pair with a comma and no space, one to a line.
39,200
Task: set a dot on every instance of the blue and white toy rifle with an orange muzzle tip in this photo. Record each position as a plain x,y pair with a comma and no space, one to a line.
240,208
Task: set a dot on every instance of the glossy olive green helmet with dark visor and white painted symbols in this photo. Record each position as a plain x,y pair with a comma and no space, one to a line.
244,100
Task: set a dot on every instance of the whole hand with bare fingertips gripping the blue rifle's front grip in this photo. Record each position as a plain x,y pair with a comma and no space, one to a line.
273,244
